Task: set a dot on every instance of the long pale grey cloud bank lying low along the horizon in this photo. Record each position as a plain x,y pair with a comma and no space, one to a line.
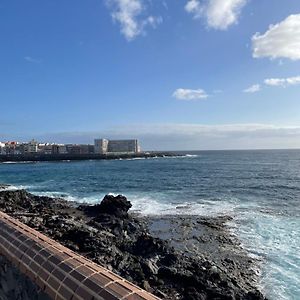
193,136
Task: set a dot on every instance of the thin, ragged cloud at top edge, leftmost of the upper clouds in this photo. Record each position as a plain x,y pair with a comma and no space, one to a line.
129,13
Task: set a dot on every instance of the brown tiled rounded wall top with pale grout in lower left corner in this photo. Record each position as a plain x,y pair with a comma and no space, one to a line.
58,271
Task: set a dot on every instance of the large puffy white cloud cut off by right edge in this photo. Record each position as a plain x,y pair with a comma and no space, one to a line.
282,40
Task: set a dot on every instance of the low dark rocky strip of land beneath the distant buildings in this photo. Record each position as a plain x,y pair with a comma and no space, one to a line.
73,157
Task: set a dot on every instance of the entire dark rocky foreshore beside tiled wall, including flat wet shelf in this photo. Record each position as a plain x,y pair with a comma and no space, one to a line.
172,257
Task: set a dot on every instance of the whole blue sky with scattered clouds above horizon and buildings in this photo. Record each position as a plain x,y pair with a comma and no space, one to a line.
177,75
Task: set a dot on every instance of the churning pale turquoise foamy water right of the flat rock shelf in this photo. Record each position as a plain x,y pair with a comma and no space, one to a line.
274,239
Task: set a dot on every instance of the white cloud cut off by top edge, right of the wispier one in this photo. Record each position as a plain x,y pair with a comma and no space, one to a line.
219,14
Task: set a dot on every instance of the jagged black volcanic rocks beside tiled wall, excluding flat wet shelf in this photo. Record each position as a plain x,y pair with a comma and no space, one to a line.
110,236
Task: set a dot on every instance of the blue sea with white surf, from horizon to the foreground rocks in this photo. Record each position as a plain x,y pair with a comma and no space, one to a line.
260,189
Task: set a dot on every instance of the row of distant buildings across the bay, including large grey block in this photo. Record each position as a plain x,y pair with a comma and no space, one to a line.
101,146
